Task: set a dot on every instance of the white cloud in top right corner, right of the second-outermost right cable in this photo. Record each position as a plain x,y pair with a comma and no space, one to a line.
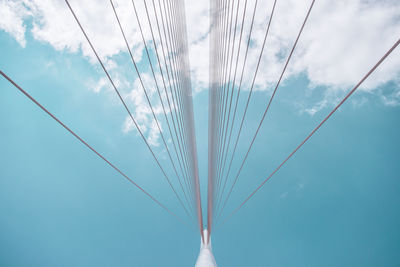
344,39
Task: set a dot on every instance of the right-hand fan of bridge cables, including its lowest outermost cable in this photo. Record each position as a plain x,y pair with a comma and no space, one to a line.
225,91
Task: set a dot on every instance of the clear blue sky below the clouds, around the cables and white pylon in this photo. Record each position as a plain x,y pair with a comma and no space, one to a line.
335,203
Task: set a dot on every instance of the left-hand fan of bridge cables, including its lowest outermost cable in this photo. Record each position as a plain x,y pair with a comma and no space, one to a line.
166,20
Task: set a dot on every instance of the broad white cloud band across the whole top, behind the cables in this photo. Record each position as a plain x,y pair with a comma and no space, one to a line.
340,42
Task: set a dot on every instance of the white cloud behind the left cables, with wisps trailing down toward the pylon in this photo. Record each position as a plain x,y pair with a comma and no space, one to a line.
52,22
